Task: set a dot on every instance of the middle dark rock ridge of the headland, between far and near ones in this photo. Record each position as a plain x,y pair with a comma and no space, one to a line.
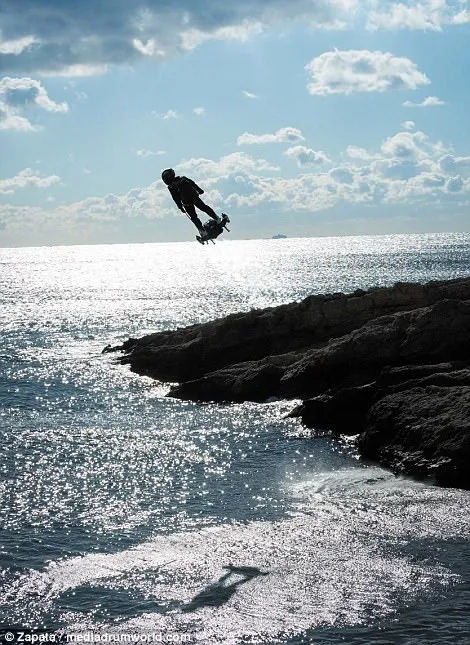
434,333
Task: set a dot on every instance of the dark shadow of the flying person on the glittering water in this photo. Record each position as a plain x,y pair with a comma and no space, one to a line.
220,592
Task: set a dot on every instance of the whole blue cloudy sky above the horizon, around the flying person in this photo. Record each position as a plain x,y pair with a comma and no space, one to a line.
301,117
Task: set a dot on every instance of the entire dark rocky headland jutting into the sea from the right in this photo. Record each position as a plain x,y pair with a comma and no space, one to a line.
391,365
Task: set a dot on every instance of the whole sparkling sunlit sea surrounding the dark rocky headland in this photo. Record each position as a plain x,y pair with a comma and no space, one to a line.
122,509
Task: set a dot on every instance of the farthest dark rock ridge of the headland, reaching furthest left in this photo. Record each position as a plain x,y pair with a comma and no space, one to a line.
189,353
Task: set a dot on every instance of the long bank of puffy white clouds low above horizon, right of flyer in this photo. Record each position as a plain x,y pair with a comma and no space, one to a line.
408,168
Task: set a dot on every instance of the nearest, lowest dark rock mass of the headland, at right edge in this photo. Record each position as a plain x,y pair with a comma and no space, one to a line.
415,420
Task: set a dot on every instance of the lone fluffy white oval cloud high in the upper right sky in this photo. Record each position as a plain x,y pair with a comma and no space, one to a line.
345,72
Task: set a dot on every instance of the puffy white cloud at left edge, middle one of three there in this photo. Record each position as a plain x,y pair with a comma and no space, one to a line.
17,94
